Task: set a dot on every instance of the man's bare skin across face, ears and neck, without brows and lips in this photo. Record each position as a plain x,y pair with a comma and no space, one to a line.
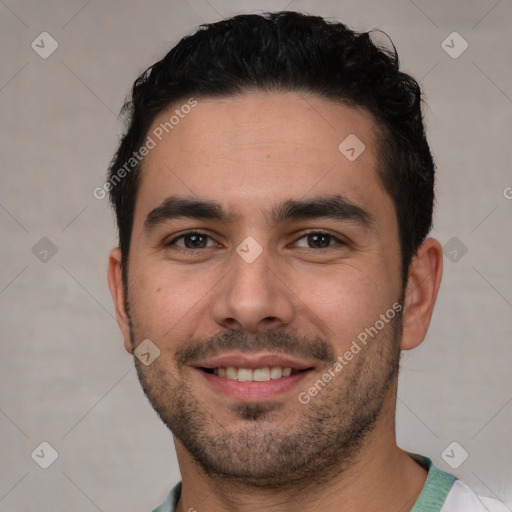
250,153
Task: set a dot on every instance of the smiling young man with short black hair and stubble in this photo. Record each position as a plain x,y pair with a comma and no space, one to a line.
274,192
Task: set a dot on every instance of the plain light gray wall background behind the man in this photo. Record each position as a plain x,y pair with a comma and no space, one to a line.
65,377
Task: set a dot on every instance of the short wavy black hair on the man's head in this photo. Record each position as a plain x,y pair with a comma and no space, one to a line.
289,51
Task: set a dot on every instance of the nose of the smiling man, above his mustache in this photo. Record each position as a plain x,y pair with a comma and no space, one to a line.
253,297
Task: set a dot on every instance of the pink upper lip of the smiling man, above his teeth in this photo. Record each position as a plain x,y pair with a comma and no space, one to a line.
252,361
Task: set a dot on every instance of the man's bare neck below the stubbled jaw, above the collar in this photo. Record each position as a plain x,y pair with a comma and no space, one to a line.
380,477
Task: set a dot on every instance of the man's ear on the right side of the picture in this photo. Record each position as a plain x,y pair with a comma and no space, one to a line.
423,284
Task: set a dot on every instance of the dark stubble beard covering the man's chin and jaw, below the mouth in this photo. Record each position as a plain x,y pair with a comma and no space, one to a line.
264,450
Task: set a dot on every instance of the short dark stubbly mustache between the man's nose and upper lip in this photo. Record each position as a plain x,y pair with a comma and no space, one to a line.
272,340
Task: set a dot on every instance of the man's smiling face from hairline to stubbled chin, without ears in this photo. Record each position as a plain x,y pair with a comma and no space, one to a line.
304,258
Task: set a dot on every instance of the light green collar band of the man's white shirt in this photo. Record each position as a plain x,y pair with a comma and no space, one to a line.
431,499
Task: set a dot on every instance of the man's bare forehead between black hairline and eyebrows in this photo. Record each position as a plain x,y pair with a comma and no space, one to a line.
251,150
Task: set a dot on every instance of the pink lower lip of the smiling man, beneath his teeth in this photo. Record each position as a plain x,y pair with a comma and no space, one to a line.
253,391
